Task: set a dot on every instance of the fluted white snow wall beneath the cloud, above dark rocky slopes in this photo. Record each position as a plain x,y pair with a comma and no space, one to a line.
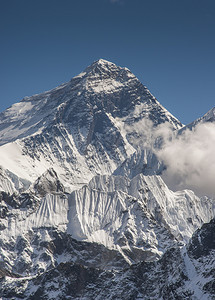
109,201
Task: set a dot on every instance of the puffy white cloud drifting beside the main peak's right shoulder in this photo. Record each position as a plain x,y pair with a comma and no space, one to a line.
190,159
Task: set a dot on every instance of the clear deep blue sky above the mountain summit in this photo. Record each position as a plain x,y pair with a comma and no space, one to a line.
168,44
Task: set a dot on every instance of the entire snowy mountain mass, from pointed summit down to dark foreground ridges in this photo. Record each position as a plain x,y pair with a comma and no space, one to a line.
84,212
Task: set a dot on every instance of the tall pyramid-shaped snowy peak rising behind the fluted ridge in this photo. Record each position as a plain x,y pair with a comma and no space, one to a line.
83,128
